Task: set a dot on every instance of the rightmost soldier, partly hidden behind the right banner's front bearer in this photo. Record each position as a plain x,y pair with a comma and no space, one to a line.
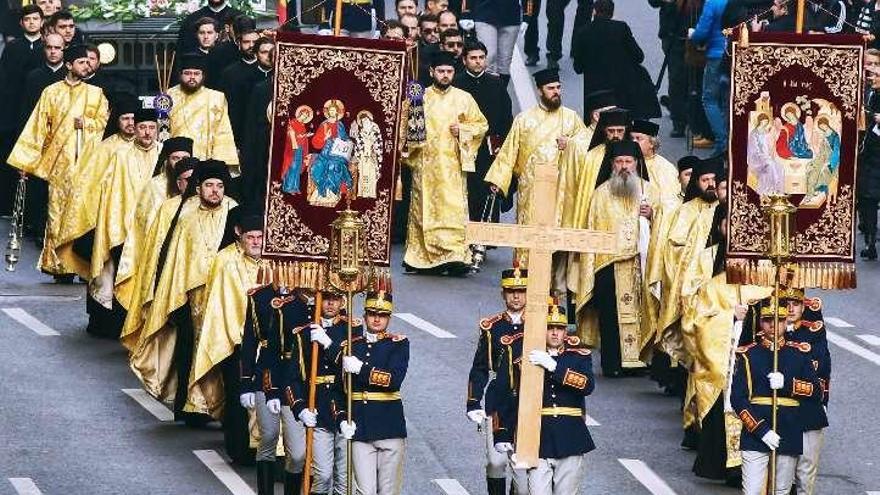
805,324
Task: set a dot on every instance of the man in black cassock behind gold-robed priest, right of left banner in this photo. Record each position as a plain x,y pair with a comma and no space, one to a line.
490,93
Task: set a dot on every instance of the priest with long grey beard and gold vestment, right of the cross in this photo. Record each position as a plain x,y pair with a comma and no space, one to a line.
611,287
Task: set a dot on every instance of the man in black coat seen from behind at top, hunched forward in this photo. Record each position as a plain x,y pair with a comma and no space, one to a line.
607,54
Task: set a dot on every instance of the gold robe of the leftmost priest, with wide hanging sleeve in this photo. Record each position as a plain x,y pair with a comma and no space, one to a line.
49,147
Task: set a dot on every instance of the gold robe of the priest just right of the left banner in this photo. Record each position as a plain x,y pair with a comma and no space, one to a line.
439,209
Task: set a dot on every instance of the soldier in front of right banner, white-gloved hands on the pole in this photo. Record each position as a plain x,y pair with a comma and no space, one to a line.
754,381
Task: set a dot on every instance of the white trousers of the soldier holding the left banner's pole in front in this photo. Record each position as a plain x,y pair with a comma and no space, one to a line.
378,466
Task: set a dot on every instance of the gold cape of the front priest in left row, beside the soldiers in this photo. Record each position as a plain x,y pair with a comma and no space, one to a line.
232,275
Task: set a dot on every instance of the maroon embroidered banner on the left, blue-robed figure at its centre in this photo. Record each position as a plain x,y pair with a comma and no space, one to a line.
335,131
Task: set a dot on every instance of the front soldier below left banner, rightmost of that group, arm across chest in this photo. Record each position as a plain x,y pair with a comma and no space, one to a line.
377,366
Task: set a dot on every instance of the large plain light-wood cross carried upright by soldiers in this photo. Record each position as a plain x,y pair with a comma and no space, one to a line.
541,237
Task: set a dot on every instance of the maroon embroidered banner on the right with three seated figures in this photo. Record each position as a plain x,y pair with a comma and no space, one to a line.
794,113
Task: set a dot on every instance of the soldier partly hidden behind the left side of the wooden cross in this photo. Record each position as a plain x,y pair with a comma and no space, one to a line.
483,372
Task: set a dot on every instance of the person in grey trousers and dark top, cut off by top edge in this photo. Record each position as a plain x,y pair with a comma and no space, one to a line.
497,24
